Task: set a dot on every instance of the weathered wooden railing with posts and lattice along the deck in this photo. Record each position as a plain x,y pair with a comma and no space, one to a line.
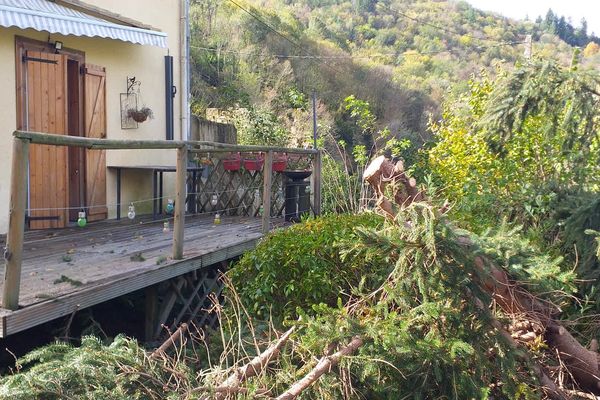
238,197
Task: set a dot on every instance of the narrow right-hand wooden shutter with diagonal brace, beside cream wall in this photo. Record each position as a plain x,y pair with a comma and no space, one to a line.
95,127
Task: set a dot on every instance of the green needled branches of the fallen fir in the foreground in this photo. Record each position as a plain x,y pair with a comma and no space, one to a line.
418,324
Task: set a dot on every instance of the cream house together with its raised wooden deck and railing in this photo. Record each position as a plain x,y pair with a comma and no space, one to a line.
75,74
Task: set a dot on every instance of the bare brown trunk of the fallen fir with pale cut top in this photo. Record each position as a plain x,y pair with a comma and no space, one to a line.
532,316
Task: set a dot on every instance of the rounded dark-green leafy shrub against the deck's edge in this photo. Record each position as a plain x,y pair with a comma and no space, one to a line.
301,266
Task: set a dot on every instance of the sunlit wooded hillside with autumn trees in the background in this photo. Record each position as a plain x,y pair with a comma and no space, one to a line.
402,57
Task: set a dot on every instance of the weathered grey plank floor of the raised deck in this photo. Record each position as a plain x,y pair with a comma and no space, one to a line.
73,268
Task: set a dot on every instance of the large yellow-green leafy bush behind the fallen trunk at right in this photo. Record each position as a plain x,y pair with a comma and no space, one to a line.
512,145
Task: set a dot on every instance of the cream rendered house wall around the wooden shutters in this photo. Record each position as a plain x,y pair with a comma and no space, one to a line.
121,60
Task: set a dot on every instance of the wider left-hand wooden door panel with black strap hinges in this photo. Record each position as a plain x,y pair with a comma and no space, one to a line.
46,111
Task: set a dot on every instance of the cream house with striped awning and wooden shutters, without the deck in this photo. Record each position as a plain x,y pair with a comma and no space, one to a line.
76,68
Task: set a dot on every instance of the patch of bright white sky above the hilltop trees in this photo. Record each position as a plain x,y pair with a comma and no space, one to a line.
519,9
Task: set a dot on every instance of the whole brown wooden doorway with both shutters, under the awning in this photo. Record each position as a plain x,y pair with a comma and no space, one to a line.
60,94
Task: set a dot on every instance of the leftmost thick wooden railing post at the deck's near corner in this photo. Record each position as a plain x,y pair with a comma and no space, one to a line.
13,254
